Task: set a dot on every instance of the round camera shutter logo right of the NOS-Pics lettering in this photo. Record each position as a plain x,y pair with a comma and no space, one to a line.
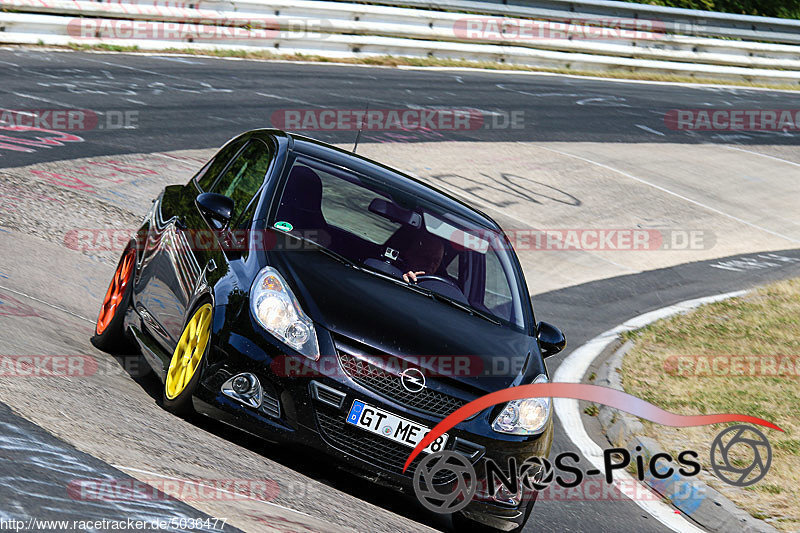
733,439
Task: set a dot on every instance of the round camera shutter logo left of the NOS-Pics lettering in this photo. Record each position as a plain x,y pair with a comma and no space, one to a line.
459,493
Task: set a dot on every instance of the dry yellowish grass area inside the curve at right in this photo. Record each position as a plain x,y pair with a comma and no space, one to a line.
764,323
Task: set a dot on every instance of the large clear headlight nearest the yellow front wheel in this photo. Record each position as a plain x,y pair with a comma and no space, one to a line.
278,311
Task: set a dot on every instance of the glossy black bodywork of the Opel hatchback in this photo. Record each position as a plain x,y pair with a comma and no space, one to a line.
355,313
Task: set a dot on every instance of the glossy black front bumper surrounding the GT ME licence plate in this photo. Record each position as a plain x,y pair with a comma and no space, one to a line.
308,418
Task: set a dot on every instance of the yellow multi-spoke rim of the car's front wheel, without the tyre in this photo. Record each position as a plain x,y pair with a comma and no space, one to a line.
188,354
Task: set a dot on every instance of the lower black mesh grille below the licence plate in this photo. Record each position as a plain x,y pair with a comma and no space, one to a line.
370,448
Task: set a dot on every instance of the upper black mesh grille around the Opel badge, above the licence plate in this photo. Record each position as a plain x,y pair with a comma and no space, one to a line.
389,386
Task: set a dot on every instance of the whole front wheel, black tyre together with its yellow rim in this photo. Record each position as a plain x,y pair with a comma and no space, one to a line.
189,356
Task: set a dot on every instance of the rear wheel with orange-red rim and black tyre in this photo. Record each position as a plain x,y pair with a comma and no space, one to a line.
110,335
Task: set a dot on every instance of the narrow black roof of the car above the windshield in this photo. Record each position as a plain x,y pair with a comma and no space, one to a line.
321,150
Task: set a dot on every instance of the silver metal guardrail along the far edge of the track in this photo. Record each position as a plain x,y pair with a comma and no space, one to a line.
338,29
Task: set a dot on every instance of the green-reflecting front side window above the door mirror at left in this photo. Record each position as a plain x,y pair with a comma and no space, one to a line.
244,177
